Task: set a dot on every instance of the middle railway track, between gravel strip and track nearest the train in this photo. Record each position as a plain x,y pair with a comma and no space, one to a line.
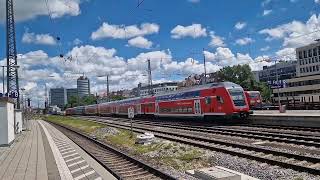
272,157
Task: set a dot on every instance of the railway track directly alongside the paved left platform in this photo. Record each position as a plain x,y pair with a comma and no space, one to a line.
121,165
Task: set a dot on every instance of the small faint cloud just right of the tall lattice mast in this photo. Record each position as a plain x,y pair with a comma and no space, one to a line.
44,39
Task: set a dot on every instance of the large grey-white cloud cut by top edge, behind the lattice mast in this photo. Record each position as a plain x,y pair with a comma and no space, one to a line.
25,10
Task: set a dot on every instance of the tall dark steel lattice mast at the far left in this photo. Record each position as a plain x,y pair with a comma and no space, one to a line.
12,66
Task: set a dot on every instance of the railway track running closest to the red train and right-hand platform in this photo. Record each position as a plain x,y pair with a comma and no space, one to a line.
269,136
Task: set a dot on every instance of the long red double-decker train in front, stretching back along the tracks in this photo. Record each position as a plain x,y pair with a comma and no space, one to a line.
223,99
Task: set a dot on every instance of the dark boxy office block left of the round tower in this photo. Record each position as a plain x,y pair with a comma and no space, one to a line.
58,97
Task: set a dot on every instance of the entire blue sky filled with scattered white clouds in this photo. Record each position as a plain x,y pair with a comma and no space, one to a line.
117,37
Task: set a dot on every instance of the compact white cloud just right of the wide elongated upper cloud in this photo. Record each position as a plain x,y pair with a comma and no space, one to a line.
194,31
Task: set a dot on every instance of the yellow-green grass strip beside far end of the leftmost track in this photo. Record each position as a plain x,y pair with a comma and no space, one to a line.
83,125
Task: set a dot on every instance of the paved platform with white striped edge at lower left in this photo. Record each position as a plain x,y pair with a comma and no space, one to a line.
43,152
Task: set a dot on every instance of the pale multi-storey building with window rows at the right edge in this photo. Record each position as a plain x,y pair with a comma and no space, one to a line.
305,87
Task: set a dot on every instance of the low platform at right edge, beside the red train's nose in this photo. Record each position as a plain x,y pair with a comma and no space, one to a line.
300,118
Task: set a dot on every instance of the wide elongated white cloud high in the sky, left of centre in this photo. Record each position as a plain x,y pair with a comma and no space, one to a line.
124,32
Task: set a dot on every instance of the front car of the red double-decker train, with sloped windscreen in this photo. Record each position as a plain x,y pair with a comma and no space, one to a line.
217,99
